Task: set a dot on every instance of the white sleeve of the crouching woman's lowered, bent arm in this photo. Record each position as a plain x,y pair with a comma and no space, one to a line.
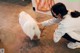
59,32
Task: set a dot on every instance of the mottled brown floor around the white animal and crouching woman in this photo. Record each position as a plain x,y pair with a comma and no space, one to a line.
13,40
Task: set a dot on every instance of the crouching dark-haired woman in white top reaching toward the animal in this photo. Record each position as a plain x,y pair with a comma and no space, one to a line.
69,25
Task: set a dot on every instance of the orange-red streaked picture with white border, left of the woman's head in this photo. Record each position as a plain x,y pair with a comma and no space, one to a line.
42,6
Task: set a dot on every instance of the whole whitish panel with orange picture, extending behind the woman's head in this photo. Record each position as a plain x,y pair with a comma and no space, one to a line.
43,6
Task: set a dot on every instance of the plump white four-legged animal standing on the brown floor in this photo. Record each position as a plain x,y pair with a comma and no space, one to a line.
29,26
